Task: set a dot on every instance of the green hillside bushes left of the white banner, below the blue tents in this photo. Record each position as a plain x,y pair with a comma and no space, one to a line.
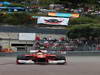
16,19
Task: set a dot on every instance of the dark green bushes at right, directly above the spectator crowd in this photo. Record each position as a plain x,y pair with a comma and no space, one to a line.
85,30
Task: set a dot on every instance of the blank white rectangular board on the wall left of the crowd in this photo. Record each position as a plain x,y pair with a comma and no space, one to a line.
27,36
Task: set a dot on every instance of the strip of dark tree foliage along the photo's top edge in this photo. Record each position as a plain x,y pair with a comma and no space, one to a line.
67,3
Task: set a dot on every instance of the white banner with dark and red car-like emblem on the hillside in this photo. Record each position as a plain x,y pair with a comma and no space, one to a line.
53,20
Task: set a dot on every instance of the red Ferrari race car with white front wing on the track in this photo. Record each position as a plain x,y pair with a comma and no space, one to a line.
41,57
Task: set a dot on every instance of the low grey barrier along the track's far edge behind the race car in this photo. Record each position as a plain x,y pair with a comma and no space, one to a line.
68,53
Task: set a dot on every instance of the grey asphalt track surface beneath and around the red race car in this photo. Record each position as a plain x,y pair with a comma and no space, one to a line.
77,65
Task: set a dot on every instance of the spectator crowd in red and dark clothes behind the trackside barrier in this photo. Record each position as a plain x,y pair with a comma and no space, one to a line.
68,44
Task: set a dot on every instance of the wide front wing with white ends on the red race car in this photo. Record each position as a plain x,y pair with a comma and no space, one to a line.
31,60
